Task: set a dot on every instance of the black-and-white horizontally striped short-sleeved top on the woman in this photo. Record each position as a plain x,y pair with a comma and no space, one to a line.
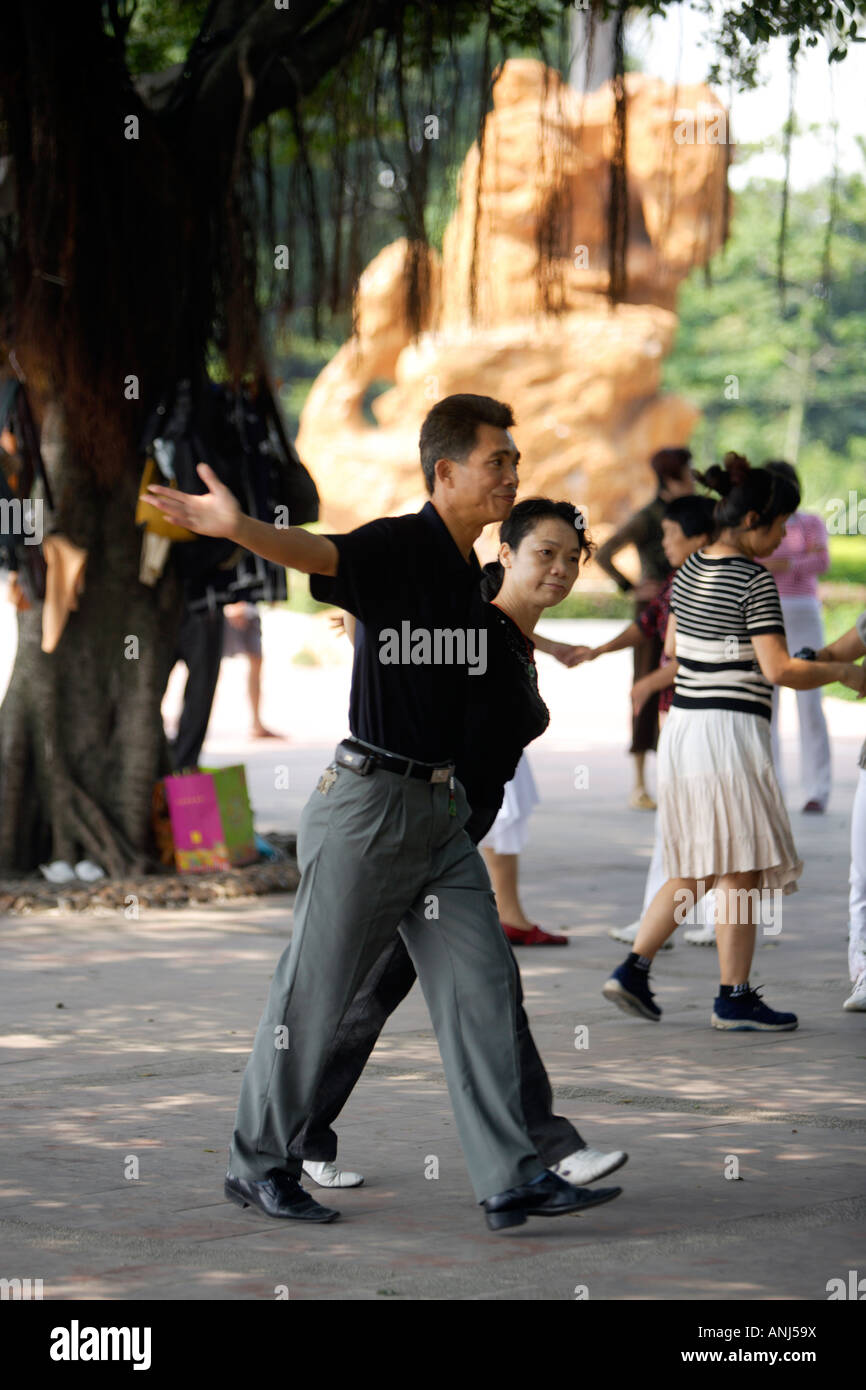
722,604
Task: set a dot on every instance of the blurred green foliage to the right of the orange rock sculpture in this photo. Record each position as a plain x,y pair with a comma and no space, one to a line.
806,354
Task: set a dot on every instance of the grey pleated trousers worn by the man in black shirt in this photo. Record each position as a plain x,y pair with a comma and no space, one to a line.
382,854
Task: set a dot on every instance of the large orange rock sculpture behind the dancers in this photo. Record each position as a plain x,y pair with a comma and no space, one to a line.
583,379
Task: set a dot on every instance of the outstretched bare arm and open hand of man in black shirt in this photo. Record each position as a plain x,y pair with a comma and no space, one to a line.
219,514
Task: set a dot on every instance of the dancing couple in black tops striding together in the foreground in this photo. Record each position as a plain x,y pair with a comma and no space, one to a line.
387,842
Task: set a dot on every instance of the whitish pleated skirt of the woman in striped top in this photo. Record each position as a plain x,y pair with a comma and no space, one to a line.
721,808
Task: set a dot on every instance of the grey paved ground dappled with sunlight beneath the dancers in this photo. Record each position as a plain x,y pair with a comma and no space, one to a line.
123,1043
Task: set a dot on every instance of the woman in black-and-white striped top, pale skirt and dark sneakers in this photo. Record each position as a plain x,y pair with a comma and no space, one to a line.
724,821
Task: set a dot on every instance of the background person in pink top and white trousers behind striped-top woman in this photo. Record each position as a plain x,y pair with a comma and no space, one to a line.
797,566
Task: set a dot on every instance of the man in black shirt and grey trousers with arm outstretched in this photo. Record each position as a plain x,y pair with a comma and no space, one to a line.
382,843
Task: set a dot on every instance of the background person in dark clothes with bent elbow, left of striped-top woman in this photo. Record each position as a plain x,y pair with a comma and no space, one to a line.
644,530
